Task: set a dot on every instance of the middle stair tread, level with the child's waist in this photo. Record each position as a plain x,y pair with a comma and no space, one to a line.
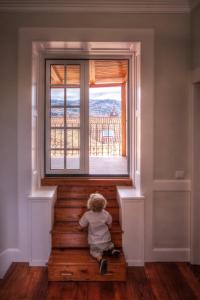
73,227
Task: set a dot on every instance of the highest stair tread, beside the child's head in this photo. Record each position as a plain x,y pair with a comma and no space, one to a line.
81,203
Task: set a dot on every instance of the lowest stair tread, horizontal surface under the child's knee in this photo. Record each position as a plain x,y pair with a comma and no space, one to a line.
79,257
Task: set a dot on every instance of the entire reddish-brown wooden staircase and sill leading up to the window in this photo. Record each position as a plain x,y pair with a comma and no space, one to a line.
70,259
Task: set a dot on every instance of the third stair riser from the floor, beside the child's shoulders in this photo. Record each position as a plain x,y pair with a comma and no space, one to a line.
74,214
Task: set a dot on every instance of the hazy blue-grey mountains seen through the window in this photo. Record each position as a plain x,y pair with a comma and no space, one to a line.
97,107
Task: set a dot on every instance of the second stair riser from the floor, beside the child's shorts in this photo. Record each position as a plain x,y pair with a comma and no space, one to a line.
66,240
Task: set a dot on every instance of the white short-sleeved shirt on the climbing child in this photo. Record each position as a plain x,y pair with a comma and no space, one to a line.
98,231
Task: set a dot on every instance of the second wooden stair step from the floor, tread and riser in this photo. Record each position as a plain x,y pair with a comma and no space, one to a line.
68,235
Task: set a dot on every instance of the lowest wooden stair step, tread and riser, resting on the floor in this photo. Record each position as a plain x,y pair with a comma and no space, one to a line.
78,265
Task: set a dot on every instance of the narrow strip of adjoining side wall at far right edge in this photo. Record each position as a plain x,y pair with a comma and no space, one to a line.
195,114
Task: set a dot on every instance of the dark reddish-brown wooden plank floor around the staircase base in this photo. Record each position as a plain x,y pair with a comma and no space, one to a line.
163,281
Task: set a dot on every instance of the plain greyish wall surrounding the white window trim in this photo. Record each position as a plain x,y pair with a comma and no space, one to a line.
172,63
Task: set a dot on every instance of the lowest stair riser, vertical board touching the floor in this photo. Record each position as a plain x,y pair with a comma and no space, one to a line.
86,273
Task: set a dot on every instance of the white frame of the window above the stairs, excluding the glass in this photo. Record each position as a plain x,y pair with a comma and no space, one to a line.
78,58
